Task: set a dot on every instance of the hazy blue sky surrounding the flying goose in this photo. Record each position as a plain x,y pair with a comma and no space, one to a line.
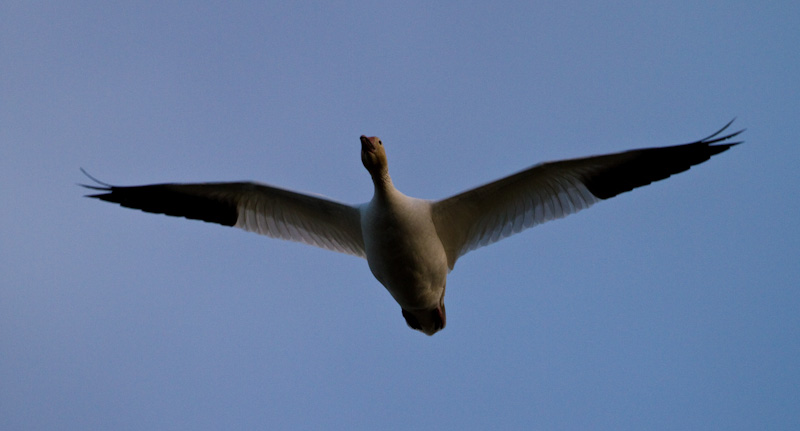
671,307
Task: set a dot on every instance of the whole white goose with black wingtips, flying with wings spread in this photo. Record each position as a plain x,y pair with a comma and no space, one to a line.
412,244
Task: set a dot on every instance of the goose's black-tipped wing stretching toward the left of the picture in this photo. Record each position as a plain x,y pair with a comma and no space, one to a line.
254,207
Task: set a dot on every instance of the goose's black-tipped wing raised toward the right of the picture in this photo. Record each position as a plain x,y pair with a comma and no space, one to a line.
548,191
